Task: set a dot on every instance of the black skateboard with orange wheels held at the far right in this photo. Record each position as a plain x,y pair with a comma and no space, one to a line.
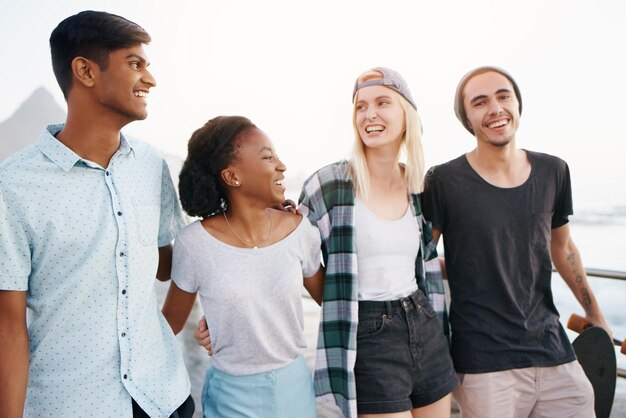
595,353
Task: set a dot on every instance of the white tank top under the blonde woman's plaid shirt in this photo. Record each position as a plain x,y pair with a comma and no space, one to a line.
386,253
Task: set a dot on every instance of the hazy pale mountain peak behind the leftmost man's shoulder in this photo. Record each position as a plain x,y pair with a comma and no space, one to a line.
24,126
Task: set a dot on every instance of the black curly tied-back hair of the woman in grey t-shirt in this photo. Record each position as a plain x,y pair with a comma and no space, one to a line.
211,149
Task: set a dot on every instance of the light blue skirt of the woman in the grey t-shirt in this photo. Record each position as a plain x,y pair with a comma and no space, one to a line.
283,393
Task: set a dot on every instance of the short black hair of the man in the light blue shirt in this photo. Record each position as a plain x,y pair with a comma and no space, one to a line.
93,35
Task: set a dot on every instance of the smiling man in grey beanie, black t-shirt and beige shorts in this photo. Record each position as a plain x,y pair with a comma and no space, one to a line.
503,212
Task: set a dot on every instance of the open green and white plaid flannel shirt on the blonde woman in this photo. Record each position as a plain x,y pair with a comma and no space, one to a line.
327,199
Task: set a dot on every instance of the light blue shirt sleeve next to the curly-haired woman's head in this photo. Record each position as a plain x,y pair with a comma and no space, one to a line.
171,219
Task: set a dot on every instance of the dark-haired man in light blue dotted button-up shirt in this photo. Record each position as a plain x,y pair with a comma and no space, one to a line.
86,220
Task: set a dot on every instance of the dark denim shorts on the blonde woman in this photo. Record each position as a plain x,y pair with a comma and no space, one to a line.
403,358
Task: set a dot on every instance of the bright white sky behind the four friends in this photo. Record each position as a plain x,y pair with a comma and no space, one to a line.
290,67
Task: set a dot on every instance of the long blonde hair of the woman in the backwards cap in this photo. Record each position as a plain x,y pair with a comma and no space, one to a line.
411,152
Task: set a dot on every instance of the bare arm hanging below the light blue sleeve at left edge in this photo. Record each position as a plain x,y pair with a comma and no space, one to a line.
13,353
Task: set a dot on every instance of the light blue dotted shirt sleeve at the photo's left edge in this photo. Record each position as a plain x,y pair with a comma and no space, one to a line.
15,255
